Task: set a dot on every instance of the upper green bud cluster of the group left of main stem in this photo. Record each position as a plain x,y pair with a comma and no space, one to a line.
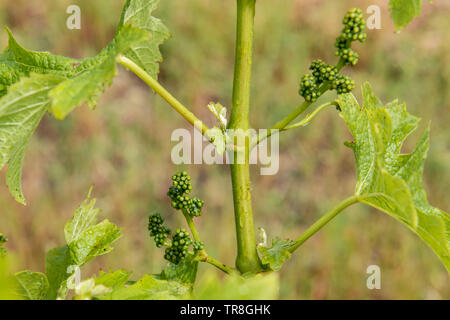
178,194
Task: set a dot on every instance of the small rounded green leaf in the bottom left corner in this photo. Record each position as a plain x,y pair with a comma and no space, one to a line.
31,285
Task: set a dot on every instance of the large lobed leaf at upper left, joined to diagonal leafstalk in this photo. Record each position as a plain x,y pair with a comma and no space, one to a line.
33,82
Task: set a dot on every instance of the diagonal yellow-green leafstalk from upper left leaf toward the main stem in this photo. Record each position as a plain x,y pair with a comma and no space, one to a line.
159,89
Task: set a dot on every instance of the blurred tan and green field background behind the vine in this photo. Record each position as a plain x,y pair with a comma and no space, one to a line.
123,147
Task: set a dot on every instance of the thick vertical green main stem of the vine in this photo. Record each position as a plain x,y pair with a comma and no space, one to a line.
247,258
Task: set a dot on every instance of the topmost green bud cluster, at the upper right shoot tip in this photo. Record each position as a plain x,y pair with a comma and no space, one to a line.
354,26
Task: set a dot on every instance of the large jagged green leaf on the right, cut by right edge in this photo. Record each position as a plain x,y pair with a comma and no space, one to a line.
388,179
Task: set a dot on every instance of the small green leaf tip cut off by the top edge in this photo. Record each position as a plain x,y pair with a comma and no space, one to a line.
404,11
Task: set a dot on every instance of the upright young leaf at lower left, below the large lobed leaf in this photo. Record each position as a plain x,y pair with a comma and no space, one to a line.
86,239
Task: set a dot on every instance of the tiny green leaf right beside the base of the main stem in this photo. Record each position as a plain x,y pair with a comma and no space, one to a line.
275,256
